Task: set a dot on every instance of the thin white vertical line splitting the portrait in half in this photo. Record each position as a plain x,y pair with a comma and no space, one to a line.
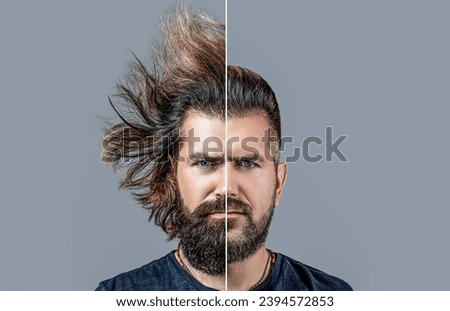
225,146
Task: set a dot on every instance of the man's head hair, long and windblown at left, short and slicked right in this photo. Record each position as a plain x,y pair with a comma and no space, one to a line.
152,102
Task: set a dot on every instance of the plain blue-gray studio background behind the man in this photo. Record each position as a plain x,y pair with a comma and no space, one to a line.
375,70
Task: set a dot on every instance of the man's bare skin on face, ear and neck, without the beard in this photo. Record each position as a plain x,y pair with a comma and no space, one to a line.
204,175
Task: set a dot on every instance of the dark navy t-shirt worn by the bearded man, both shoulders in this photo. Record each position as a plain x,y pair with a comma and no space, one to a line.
167,274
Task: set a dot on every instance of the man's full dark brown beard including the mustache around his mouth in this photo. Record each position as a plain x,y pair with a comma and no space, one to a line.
203,238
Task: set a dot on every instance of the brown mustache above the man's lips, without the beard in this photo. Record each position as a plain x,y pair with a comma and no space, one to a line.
218,206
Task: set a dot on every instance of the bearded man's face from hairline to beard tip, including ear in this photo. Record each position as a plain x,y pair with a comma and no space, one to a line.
248,178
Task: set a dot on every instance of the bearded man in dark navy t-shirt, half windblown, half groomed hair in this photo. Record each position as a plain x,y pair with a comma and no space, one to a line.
208,172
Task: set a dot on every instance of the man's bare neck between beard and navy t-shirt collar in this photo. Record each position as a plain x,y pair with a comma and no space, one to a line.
241,275
